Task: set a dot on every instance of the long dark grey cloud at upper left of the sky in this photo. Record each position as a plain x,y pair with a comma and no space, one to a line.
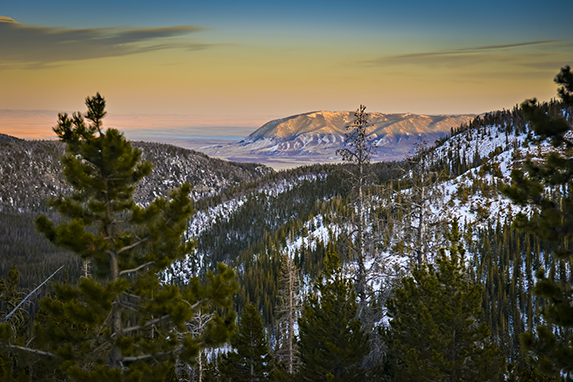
34,46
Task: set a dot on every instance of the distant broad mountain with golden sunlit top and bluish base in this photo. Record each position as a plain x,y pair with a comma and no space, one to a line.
317,135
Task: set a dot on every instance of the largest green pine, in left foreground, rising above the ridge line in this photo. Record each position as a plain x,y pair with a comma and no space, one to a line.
122,324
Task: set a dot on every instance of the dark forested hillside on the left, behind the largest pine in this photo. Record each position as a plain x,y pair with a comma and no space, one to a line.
31,172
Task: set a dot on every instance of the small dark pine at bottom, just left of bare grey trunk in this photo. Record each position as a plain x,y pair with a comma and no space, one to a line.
250,360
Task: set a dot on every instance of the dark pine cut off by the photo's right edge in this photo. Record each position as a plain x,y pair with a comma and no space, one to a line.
551,347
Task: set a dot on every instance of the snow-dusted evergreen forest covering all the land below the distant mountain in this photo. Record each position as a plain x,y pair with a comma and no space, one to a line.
133,261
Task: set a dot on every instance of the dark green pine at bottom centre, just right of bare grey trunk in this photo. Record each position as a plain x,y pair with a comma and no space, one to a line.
332,343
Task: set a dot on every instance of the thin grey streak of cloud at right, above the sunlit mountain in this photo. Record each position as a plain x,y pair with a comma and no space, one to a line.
508,53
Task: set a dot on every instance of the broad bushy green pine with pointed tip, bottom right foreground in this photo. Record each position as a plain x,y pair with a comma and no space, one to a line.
434,334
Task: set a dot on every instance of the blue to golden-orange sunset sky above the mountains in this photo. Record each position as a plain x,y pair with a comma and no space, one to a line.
239,64
